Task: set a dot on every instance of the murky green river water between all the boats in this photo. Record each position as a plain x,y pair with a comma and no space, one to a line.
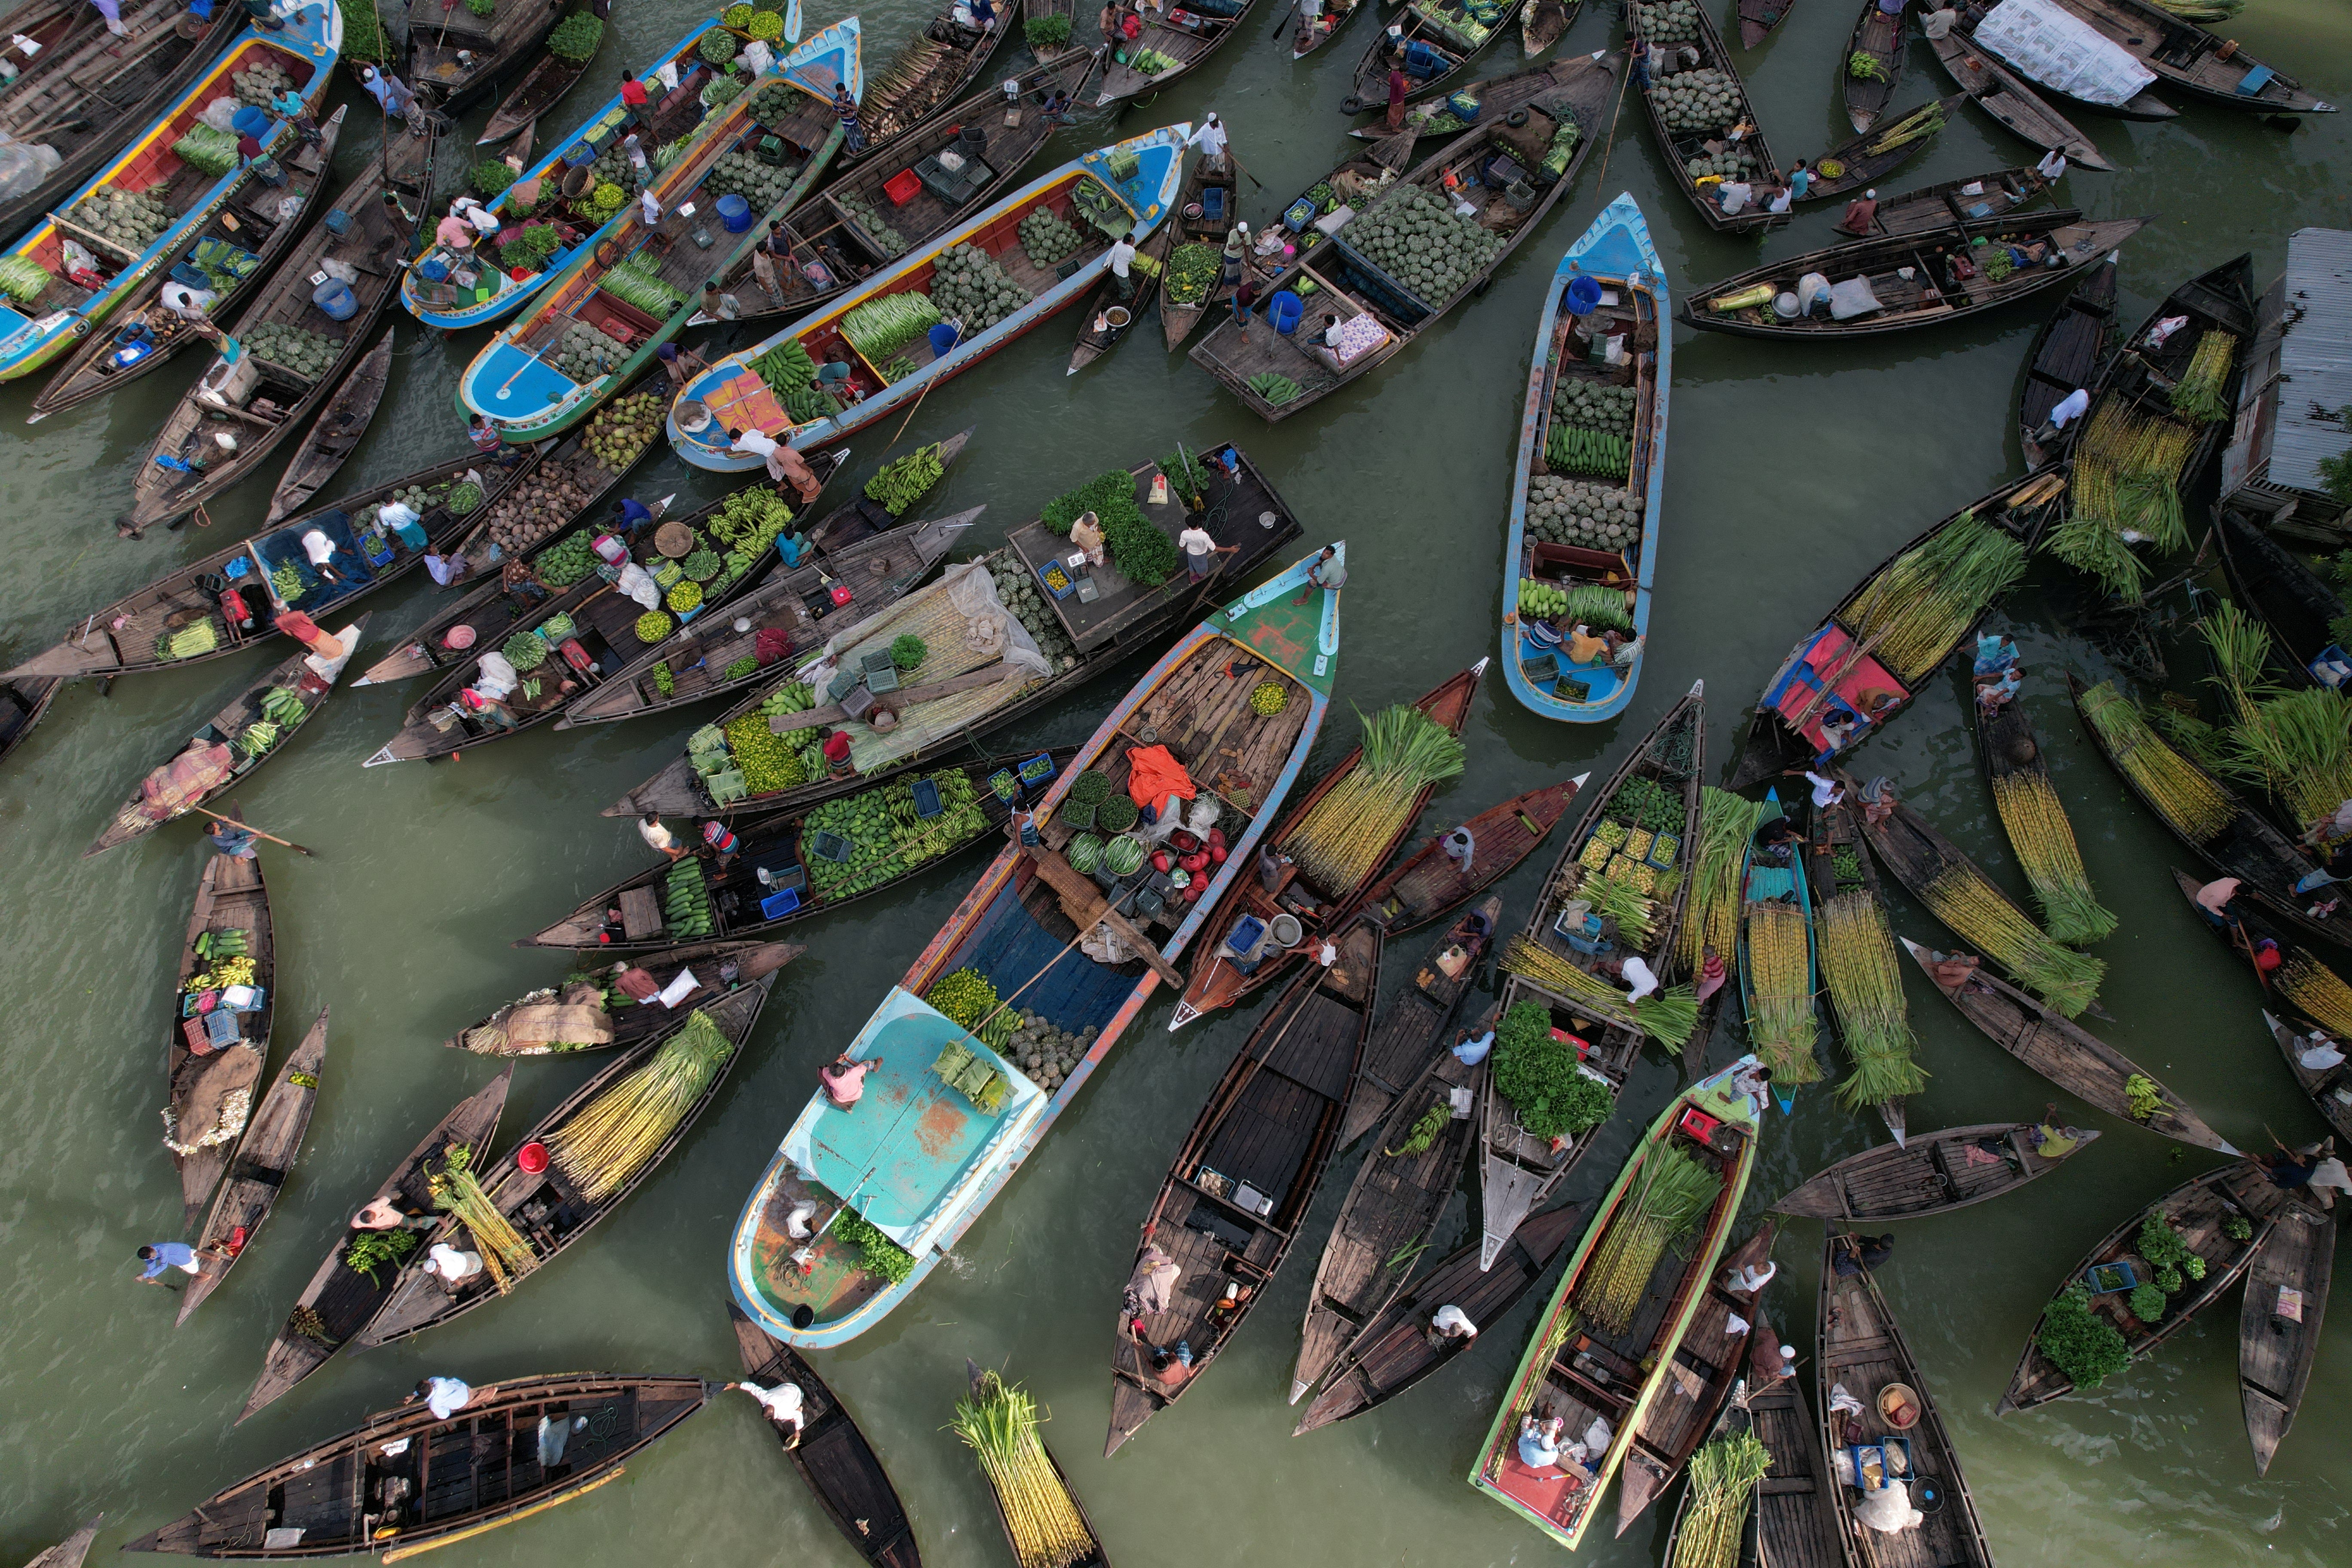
1789,476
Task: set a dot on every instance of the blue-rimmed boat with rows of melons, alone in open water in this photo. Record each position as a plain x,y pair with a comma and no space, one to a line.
1549,544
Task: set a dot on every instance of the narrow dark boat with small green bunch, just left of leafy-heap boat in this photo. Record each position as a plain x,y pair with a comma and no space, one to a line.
1398,1193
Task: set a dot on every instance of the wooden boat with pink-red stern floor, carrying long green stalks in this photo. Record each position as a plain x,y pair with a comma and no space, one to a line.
1789,718
